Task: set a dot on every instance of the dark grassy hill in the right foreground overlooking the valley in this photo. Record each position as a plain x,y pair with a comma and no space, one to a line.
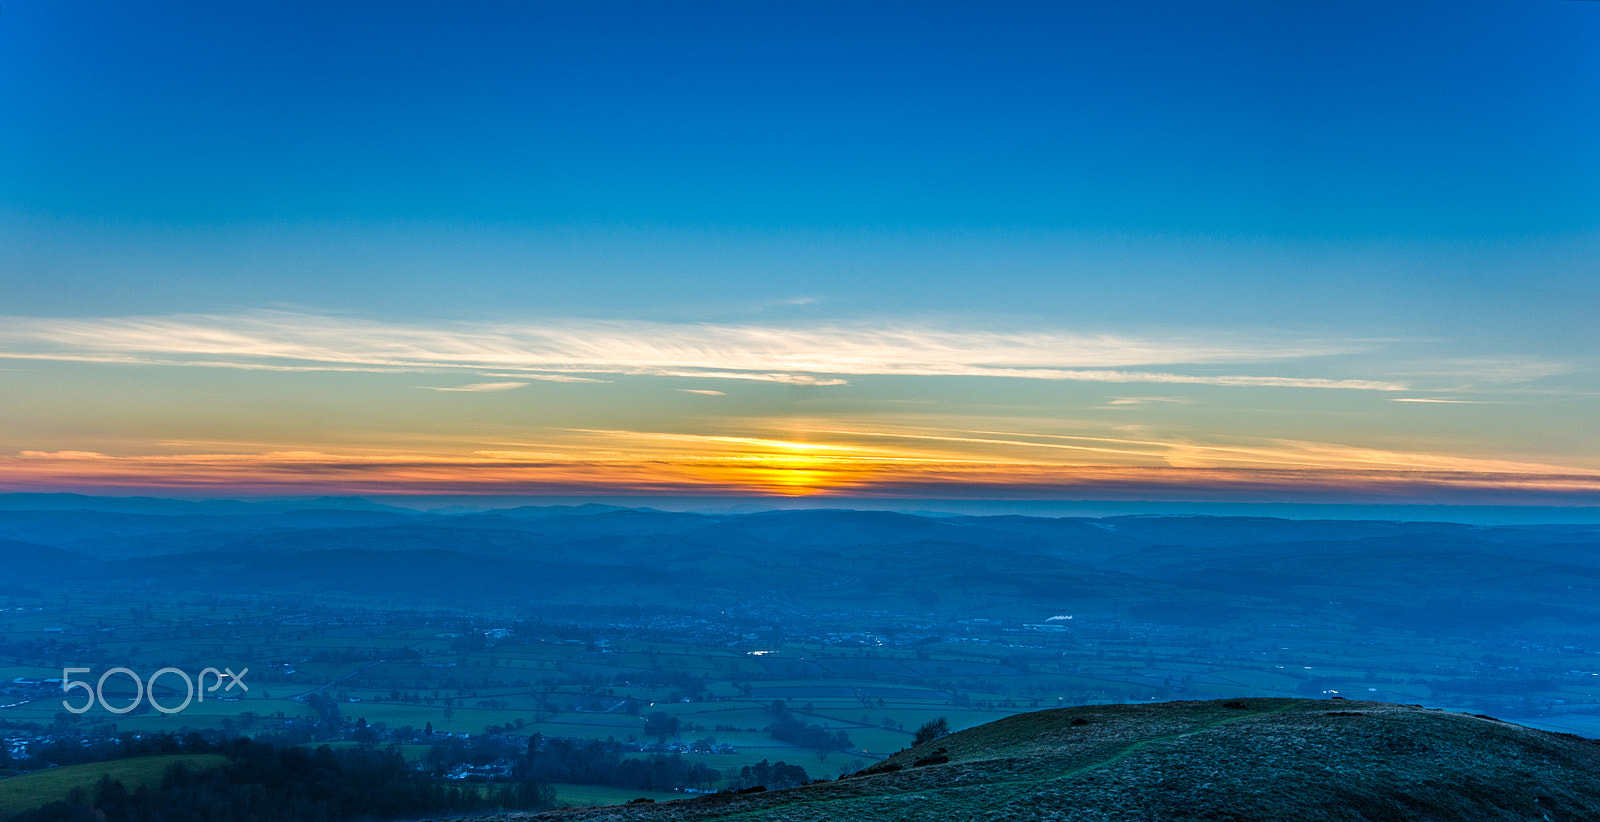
1222,760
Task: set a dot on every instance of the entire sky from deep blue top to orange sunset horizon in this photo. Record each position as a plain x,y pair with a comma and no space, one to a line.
1233,252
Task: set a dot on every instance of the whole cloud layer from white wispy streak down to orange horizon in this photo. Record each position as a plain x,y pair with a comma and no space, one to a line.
882,439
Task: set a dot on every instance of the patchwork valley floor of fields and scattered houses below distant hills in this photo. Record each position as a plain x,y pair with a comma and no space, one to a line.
393,672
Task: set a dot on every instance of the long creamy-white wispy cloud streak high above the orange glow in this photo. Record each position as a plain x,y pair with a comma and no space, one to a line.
810,356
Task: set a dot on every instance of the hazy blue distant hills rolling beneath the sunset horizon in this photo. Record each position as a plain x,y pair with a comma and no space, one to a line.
1174,570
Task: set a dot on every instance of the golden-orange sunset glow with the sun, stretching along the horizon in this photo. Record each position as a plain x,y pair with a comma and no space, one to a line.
810,461
